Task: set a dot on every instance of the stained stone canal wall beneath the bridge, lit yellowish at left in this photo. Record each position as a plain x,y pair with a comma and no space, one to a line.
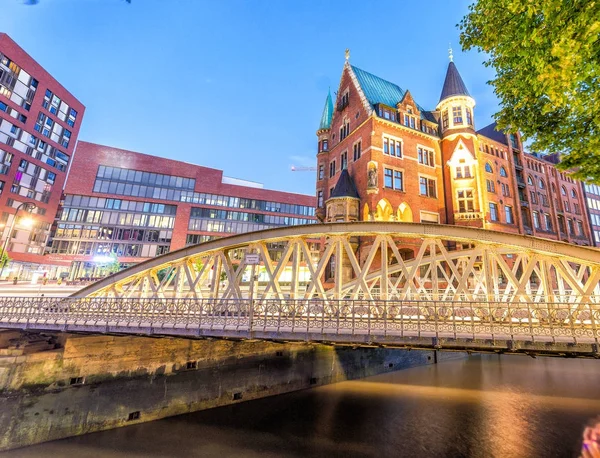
100,382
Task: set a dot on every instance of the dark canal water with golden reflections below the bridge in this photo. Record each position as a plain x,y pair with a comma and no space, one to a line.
481,406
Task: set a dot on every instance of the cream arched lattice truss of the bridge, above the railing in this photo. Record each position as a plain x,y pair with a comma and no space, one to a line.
368,261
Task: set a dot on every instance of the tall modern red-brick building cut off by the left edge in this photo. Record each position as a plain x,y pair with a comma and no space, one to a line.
39,125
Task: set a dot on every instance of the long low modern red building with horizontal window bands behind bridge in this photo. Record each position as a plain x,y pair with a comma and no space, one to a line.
135,207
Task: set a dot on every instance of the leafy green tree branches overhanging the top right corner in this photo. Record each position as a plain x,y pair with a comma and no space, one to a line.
546,54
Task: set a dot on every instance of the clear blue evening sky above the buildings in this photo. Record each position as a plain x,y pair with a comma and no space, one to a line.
231,84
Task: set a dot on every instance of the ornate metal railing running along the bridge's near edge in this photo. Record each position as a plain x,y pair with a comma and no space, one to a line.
377,318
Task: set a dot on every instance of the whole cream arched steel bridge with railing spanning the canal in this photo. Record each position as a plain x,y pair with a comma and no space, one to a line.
404,284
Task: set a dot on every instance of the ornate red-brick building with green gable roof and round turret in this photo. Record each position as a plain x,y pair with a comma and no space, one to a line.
402,162
